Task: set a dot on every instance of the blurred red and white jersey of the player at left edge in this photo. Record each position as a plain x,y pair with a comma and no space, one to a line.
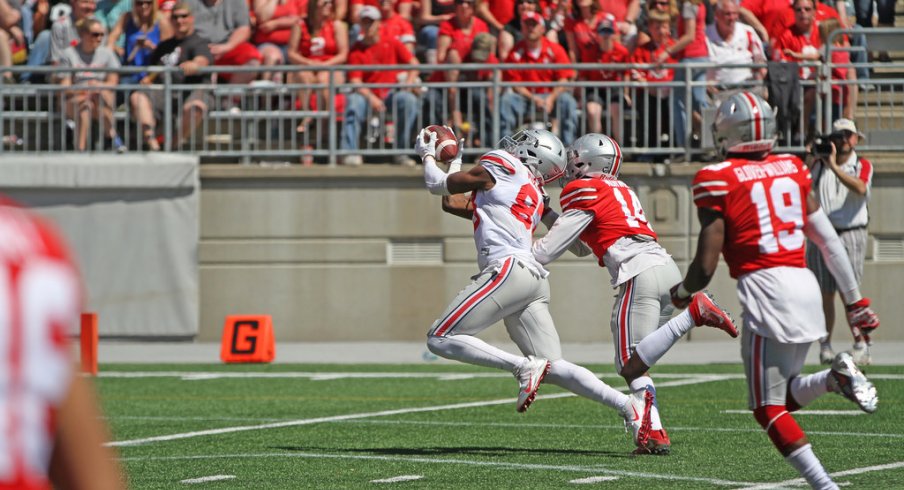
39,302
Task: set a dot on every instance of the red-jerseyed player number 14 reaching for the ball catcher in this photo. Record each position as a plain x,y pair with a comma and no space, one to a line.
603,215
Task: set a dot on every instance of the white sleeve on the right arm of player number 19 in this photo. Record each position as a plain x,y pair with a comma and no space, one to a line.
819,230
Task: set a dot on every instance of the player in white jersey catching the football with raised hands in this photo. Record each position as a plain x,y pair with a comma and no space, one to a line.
505,205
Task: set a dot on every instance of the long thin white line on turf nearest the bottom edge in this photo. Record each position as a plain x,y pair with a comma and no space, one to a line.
446,462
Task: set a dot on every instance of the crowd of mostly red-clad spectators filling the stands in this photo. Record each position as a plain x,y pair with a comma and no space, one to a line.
314,34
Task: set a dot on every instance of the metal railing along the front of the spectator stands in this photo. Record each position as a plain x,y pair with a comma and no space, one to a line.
310,122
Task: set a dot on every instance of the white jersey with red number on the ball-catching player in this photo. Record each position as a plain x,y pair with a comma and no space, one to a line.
506,216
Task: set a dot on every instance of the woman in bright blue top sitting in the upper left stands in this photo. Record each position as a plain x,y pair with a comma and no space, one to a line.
143,28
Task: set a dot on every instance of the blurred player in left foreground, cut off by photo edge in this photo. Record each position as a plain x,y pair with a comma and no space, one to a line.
51,425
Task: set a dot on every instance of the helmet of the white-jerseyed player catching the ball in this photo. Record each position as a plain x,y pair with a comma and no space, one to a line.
538,149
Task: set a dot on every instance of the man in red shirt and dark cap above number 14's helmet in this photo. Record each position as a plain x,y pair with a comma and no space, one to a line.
607,49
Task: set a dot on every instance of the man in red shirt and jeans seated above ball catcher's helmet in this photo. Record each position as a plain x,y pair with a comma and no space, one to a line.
536,49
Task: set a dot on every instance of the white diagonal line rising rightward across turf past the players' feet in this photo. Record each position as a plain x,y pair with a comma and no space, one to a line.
353,416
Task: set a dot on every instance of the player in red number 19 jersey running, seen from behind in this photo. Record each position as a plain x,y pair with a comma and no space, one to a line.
756,209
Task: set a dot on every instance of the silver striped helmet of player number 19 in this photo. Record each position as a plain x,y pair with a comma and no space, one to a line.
744,124
